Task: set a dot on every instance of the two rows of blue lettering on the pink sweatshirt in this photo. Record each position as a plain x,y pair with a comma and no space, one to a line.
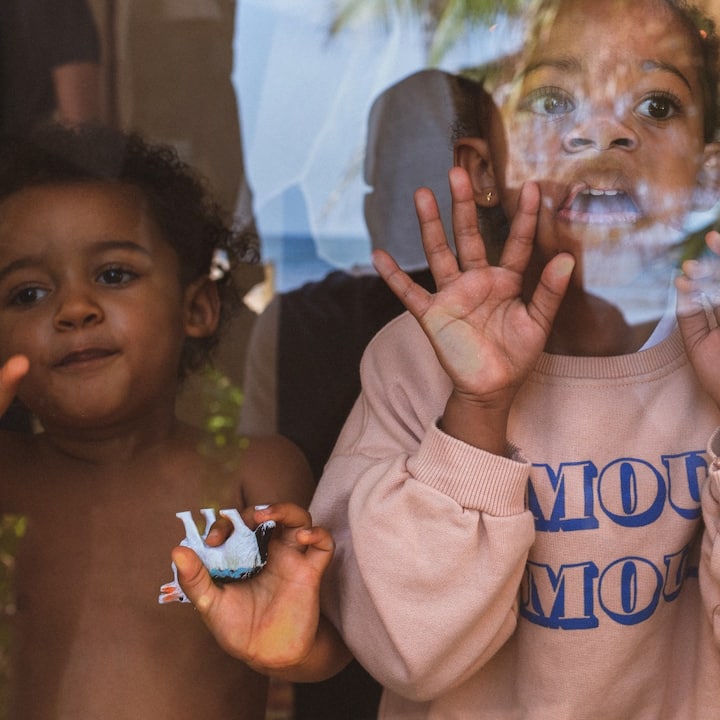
632,493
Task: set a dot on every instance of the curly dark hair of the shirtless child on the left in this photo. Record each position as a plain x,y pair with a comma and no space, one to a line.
179,198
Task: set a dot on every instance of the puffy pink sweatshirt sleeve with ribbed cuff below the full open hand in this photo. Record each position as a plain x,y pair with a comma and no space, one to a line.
432,534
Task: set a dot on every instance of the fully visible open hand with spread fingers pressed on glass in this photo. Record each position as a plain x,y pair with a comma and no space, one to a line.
484,334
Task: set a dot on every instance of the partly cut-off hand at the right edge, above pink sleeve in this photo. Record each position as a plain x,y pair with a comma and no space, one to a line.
698,303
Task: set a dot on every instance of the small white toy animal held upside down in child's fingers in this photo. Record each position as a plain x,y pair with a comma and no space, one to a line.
241,556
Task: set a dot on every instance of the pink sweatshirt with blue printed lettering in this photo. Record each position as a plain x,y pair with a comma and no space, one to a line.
574,581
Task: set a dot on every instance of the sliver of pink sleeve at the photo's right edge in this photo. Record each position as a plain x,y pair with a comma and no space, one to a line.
710,554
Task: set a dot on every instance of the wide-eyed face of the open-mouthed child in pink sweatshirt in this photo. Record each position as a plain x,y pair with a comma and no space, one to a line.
606,114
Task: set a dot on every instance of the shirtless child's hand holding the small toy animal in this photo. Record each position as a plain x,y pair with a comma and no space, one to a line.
269,621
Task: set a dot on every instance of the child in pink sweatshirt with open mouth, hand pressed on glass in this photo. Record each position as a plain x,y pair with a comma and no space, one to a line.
524,499
